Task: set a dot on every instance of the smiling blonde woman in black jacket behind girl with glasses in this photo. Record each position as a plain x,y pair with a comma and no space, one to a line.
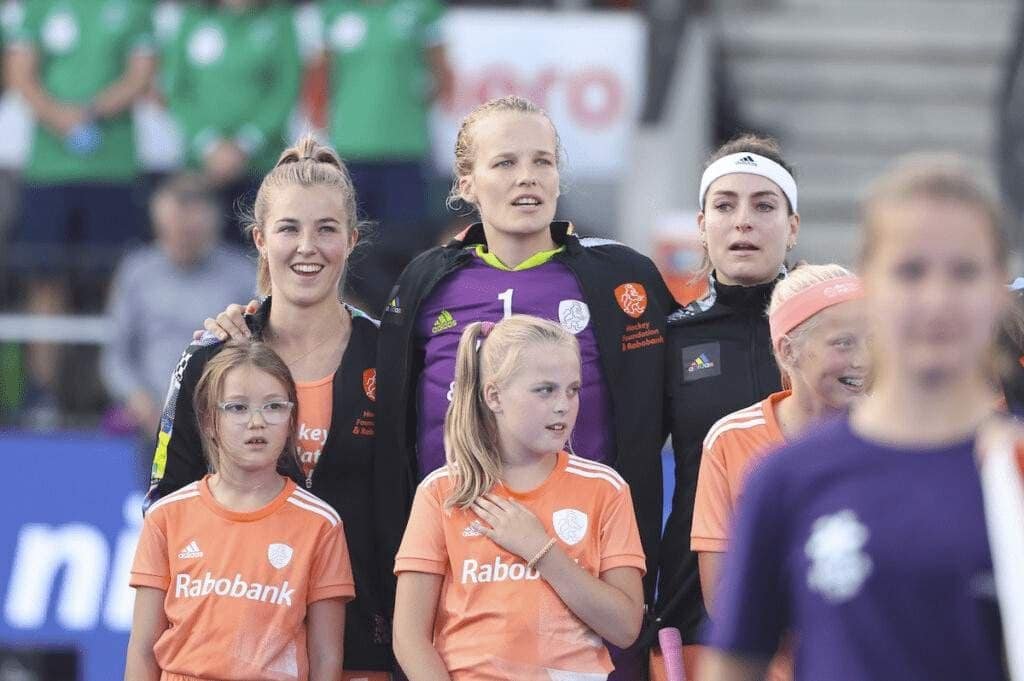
305,228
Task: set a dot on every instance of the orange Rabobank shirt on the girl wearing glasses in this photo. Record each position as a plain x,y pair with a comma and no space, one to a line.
238,584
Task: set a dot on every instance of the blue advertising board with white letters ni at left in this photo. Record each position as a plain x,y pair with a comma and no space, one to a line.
69,524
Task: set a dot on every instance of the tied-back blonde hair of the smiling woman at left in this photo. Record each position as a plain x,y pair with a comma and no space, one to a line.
308,163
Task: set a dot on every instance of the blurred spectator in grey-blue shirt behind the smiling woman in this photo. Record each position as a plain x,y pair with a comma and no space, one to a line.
160,292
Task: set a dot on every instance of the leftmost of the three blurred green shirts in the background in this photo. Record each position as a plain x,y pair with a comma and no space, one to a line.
83,47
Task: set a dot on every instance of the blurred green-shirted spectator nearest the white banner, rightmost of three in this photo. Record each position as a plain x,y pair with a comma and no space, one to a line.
388,64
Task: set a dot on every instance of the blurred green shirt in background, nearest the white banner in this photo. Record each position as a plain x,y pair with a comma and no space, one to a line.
380,80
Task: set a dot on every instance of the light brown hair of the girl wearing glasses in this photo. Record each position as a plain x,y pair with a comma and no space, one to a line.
210,389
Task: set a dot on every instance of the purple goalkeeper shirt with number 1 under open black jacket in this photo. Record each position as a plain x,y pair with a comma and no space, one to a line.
482,291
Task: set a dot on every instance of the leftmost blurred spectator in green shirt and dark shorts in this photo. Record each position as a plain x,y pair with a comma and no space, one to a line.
80,65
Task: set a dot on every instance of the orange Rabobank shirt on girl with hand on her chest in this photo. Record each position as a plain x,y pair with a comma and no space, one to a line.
498,621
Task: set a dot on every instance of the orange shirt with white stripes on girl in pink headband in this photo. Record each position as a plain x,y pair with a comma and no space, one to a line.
733,446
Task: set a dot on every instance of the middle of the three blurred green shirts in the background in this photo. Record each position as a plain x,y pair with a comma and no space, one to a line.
235,76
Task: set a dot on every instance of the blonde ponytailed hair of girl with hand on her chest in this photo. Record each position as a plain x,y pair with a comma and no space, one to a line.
489,354
